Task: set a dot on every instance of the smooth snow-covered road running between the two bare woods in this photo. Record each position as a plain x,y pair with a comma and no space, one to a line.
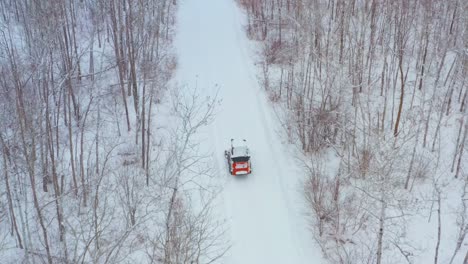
264,210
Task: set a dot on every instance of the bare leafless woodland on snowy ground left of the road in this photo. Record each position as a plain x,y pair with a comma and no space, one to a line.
79,84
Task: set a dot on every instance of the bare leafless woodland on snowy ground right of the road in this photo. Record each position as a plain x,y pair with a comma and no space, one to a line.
383,84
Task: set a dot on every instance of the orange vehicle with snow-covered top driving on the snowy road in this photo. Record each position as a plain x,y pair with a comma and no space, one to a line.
238,158
